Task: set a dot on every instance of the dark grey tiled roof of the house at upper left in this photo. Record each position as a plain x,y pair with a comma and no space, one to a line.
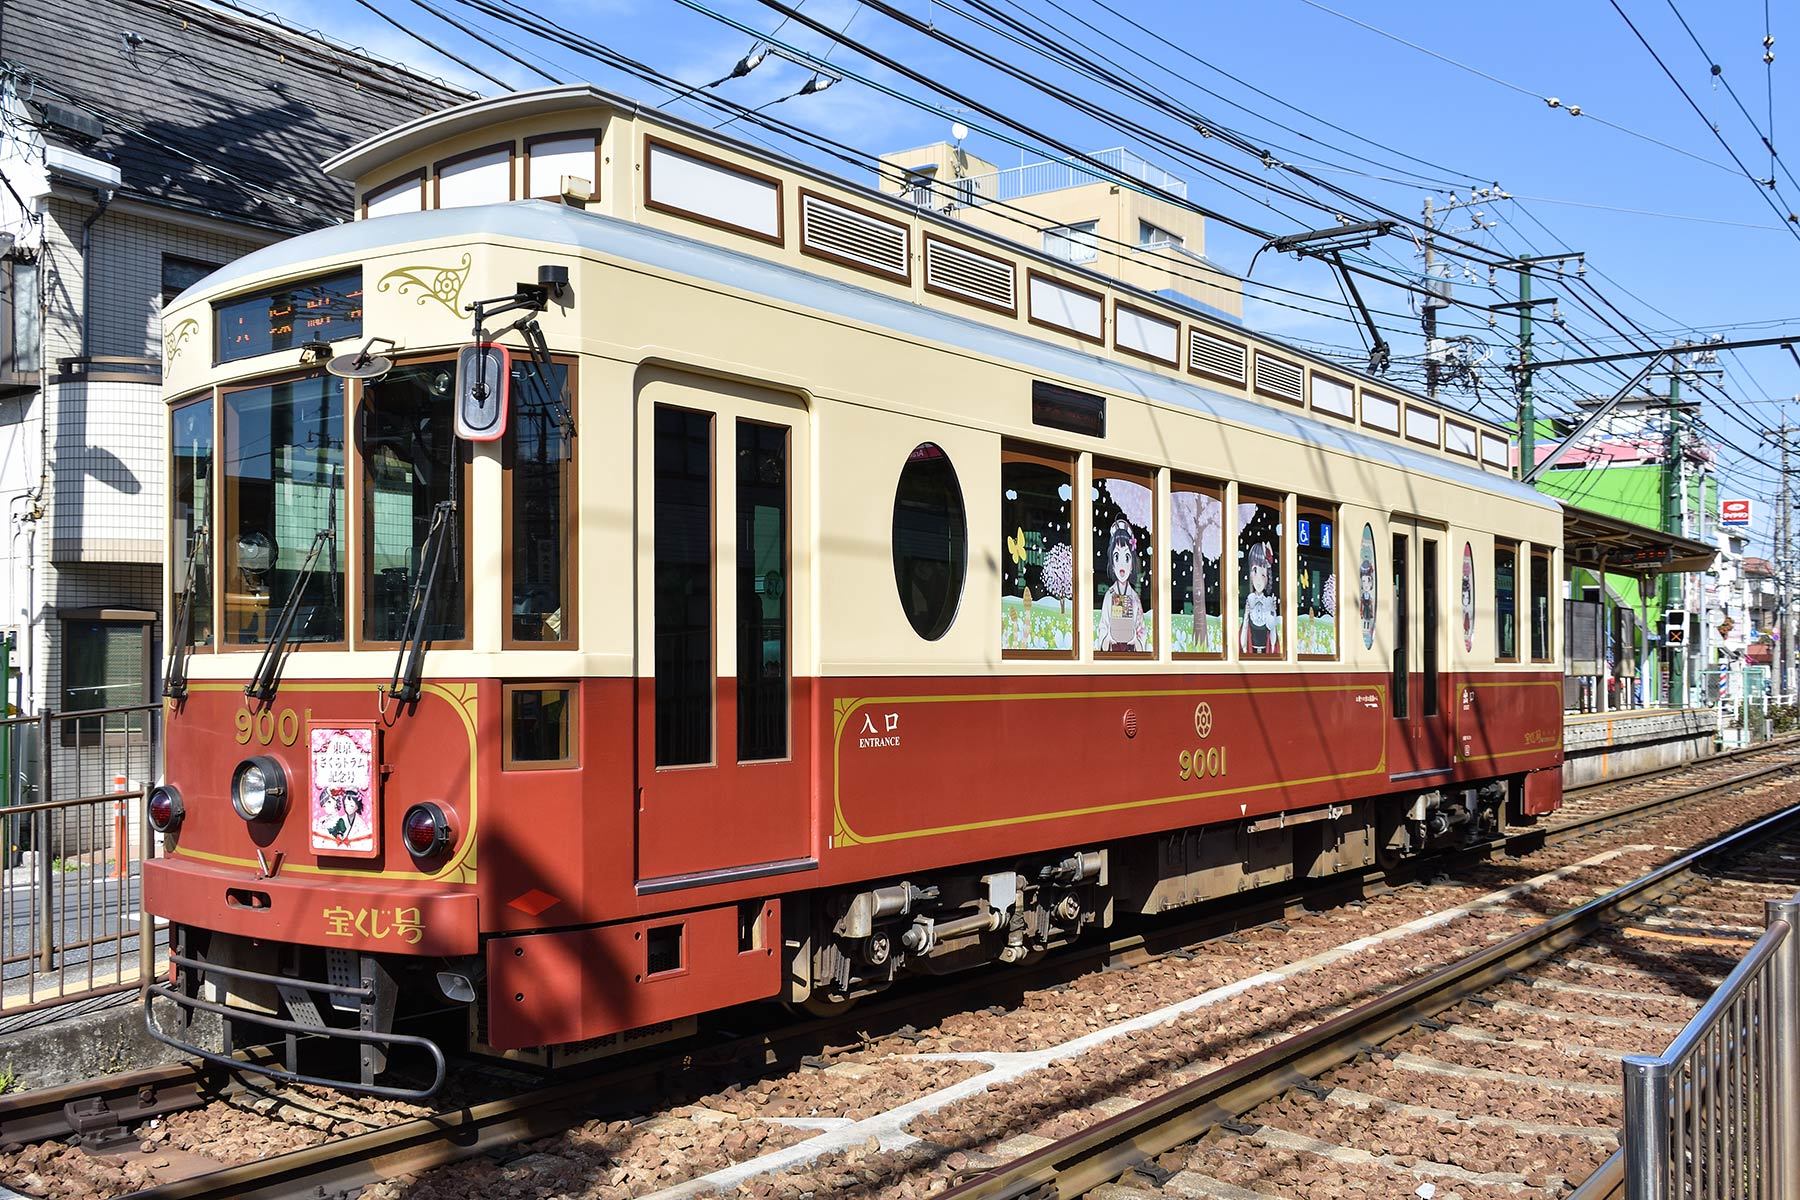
210,111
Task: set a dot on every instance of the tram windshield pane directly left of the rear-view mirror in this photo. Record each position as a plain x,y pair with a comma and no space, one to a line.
406,434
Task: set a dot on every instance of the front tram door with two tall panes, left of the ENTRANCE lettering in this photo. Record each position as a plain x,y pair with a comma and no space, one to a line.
723,620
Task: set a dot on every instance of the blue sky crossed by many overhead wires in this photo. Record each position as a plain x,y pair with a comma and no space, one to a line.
1675,233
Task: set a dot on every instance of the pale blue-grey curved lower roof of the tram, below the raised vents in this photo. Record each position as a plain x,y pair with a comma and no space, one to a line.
787,285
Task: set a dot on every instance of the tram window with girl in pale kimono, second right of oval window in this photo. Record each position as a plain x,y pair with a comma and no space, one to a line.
1124,517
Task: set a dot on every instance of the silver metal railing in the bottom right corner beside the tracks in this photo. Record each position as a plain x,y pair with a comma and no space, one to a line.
1718,1115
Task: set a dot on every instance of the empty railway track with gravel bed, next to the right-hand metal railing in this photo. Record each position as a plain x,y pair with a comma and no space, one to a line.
1443,1084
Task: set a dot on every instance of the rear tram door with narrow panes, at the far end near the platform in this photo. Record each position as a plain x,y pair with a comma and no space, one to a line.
1416,690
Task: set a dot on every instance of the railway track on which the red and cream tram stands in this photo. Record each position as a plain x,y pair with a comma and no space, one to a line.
103,1109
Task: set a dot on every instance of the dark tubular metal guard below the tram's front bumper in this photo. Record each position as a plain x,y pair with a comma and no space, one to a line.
368,1041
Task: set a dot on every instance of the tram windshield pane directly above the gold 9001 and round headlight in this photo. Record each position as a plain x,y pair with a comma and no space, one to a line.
283,485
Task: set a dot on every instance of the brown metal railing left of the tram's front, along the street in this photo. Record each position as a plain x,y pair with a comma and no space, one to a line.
75,841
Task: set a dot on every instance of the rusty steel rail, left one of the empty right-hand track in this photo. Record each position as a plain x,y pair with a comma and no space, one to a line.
1117,1145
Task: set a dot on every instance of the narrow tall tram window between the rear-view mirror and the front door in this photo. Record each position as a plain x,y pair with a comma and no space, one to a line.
541,508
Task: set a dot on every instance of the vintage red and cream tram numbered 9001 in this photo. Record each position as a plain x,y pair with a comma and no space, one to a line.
627,575
